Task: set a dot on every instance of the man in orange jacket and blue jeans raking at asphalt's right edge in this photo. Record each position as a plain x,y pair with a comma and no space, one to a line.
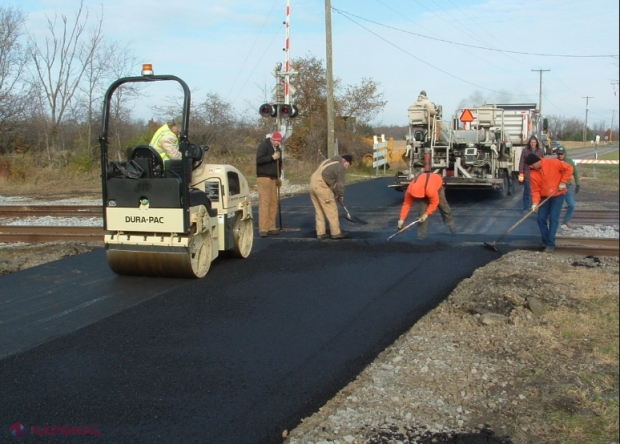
548,177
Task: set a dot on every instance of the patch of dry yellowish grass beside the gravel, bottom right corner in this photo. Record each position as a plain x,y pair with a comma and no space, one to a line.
585,410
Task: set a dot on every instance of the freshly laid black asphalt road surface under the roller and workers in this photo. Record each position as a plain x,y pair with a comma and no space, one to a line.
249,350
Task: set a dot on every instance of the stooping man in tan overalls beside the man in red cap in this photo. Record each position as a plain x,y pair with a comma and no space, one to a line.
327,185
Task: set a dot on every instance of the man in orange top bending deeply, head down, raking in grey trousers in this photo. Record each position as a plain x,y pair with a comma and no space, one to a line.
428,189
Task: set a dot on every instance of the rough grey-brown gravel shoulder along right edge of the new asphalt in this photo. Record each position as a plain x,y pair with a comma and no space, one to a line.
466,372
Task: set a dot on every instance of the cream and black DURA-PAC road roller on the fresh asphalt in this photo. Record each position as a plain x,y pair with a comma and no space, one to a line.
171,218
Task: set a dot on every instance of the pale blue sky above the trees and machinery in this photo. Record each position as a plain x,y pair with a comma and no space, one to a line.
231,47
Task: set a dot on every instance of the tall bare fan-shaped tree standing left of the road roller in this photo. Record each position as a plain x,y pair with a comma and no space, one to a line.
60,65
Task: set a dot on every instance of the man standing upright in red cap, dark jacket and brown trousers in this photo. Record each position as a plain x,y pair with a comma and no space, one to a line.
268,167
